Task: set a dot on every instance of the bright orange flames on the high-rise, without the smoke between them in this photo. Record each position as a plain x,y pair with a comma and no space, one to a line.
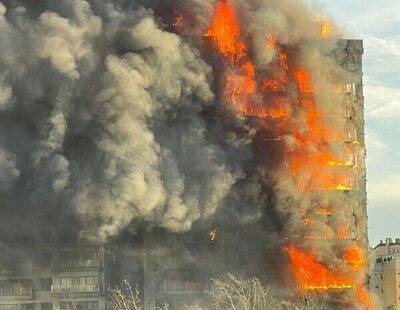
310,162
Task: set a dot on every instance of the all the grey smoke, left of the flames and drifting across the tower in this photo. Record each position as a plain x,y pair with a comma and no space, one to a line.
108,119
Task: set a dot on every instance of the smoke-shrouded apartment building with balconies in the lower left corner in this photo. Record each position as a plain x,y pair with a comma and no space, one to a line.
55,277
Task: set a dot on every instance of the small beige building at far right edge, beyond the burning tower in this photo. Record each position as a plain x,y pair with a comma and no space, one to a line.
385,274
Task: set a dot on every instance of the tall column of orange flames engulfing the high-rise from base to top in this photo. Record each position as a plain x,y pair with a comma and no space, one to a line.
318,144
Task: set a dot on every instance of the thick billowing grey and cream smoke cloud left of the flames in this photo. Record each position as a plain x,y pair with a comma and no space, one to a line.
103,118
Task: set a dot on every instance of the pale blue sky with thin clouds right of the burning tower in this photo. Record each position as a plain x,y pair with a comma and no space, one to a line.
378,24
